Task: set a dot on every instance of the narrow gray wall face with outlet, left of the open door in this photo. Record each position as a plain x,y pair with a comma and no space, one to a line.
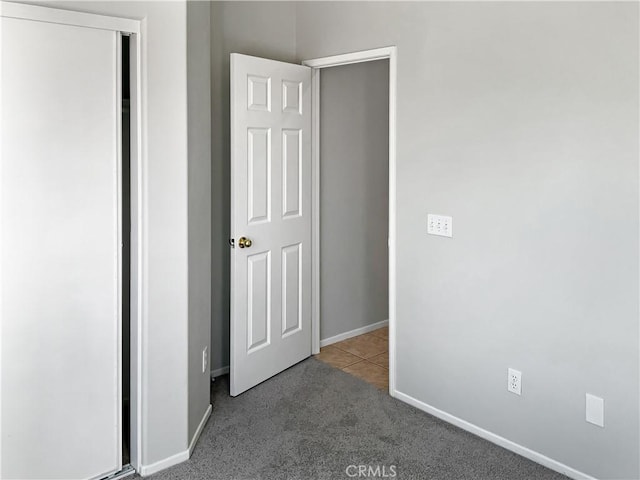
199,177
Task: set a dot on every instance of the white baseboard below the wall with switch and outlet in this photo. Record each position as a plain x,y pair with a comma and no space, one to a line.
493,438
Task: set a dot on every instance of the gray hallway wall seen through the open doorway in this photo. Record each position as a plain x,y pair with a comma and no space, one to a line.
354,196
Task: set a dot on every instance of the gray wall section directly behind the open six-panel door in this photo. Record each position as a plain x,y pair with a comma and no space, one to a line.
262,29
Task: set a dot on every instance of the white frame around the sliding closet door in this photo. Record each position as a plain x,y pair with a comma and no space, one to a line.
136,30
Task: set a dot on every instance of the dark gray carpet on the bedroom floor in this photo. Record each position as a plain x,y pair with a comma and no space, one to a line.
313,421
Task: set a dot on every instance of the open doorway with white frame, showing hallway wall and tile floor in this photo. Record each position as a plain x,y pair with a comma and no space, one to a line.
353,312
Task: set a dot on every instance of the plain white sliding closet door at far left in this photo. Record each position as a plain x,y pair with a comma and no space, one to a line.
59,251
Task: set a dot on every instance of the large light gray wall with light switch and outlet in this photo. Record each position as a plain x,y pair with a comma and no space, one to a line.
522,123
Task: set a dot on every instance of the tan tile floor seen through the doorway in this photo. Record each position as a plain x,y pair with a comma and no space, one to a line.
365,356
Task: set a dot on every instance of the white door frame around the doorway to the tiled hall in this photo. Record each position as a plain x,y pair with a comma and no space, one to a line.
317,64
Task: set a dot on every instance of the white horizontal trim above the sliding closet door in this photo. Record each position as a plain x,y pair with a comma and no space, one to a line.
68,17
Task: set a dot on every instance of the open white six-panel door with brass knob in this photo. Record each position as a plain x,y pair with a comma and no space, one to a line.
270,206
